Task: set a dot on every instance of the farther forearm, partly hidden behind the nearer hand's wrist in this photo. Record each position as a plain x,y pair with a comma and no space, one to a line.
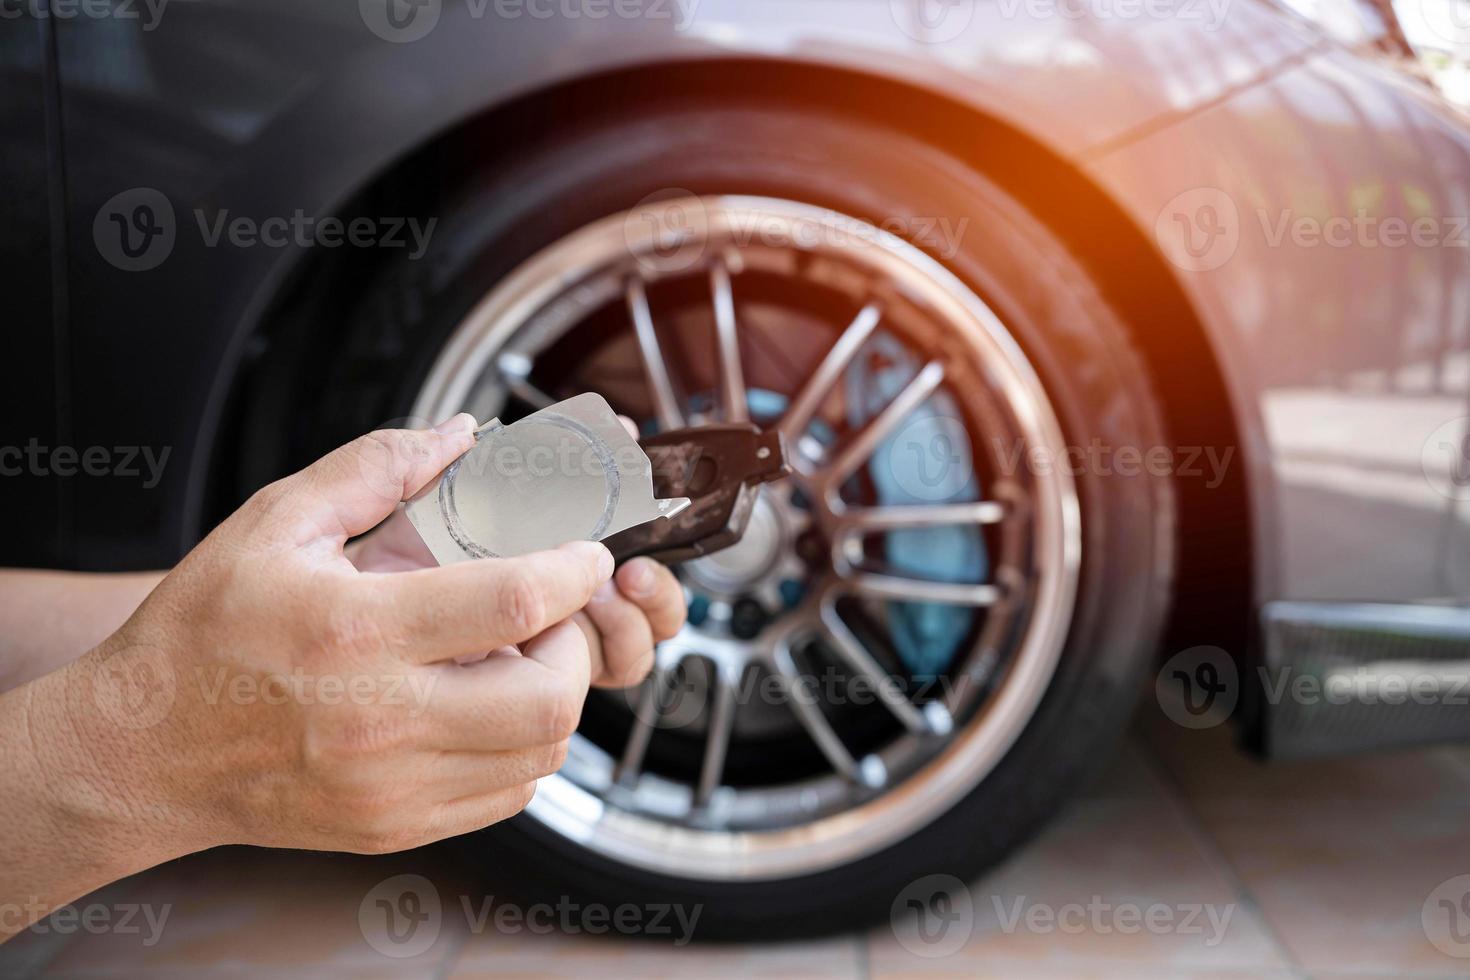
48,619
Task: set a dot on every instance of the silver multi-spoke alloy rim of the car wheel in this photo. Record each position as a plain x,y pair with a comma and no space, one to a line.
605,800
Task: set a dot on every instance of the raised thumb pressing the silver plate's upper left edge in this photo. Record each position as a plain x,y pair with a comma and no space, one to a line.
361,484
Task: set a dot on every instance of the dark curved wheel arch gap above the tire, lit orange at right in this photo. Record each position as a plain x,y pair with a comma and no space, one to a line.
1213,584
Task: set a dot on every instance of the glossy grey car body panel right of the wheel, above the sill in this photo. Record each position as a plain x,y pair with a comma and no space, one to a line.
1344,361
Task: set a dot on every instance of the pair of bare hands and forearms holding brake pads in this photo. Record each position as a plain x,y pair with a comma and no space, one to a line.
299,682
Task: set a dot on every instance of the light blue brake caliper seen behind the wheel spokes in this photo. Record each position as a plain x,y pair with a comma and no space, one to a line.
927,461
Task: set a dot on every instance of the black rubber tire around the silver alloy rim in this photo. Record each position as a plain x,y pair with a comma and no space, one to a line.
1083,352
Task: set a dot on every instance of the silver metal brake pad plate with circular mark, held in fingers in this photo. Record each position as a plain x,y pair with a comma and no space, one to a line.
570,472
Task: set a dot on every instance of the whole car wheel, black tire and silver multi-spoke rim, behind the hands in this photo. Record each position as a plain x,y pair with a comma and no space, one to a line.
936,630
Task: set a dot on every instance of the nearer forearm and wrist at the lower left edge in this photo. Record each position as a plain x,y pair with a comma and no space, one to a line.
76,794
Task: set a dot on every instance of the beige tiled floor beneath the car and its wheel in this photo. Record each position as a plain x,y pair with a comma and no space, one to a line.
1188,860
